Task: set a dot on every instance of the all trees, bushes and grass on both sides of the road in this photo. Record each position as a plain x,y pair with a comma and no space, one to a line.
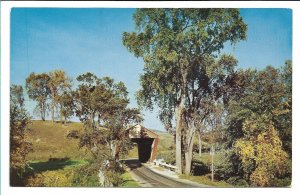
226,126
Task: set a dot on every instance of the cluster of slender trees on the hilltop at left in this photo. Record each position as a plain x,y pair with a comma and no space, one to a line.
52,92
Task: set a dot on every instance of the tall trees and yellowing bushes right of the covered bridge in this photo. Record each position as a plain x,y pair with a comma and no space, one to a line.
197,89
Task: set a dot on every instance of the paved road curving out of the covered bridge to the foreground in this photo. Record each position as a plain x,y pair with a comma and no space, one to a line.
150,178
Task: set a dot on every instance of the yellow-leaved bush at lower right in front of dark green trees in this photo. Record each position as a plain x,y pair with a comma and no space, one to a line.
261,152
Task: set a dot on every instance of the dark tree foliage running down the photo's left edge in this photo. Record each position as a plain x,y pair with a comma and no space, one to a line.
20,146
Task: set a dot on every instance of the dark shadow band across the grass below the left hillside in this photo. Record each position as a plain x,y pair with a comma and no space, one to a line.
51,164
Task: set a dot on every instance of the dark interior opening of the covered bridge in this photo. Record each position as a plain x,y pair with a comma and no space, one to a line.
144,148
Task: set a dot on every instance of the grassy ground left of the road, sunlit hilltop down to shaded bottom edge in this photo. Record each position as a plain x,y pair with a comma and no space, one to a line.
56,160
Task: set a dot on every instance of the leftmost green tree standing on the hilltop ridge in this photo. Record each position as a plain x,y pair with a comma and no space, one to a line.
37,86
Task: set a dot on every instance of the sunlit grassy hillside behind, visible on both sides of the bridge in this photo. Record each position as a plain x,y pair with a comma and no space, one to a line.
50,141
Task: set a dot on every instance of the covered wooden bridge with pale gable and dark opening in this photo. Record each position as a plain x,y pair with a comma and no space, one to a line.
147,142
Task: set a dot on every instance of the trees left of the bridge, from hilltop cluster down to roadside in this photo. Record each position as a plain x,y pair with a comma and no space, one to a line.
101,104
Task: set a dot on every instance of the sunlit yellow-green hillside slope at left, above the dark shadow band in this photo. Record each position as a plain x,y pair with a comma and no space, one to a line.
50,141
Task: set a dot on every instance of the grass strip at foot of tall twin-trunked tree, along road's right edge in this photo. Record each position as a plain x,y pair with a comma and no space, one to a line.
205,179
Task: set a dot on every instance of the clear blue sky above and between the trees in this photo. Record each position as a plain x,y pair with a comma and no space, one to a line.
90,40
